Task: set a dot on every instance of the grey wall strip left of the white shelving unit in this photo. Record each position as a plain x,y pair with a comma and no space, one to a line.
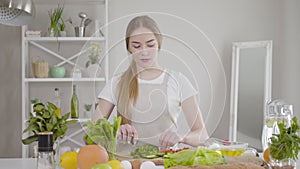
10,91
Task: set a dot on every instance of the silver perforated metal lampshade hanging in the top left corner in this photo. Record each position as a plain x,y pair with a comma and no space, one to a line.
16,12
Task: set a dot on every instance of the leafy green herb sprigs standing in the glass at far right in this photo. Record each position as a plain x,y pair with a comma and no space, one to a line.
285,145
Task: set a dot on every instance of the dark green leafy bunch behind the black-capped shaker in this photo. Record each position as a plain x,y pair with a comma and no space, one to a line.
46,119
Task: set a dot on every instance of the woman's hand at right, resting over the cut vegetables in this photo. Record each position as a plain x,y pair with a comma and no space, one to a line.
169,139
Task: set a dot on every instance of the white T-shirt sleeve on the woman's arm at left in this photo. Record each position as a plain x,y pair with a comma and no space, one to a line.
108,92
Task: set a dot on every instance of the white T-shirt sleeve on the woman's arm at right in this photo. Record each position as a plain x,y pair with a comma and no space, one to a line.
186,88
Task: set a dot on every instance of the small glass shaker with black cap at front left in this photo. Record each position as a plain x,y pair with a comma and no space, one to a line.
45,151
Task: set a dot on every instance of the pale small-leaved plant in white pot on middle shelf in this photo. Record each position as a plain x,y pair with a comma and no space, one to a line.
94,52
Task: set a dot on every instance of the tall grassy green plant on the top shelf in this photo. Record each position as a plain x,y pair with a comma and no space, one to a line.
55,16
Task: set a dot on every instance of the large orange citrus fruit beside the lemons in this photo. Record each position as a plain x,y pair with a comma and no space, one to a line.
90,155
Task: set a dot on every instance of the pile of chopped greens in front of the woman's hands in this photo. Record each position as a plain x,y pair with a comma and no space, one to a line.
146,151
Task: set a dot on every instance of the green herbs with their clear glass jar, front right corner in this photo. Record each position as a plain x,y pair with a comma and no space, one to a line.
284,146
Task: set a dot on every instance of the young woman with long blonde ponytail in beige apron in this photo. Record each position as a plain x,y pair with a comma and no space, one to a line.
150,98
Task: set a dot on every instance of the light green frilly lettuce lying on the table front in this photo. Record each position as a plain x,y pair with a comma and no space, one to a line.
200,156
